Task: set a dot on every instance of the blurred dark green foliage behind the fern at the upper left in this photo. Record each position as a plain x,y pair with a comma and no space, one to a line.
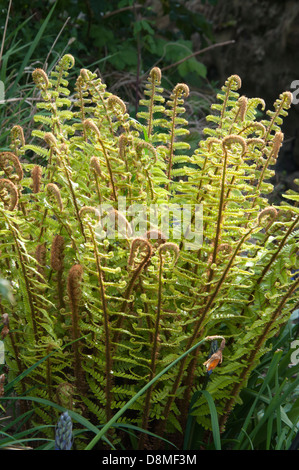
113,29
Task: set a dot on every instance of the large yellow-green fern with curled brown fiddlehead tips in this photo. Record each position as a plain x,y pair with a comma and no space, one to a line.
132,300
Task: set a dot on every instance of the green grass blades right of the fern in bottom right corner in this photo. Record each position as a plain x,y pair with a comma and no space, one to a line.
268,417
